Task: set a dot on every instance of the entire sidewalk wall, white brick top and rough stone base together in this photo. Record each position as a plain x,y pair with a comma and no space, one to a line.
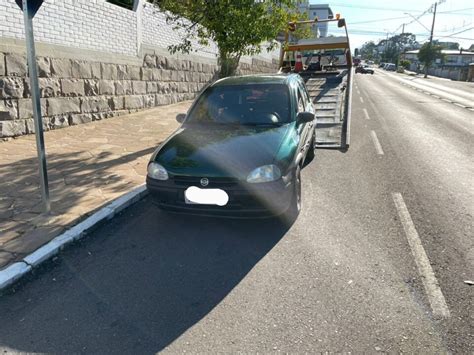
97,60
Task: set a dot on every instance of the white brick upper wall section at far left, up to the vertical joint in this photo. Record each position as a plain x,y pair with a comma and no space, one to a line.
89,24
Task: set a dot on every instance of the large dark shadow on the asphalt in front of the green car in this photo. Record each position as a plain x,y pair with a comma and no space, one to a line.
136,285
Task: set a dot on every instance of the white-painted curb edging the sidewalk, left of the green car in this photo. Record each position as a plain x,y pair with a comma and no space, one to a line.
18,269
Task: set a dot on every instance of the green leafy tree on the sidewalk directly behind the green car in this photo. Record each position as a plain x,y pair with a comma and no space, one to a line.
237,27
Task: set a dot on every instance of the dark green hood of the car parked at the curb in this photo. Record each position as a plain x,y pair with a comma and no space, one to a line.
221,150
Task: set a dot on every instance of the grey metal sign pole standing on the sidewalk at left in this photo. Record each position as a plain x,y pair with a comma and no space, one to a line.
35,96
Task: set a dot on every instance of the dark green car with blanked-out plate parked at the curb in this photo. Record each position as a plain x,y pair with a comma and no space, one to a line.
239,150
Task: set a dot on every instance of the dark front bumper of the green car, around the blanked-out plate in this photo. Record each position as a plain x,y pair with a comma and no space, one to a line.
245,200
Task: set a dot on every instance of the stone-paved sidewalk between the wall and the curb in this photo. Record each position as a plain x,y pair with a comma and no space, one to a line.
88,165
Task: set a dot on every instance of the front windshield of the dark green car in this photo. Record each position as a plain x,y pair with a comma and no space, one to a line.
260,104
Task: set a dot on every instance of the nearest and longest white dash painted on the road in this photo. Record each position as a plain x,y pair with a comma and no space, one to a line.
433,291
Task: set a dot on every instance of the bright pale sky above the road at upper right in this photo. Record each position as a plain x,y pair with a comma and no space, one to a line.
371,20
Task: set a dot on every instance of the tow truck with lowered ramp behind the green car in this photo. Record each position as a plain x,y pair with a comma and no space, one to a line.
327,72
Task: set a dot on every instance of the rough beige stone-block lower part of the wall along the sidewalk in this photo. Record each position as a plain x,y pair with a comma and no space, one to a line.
78,91
